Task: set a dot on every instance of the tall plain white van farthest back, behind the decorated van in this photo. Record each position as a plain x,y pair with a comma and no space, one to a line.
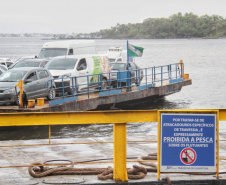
68,47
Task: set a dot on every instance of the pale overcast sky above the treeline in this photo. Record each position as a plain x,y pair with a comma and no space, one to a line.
86,16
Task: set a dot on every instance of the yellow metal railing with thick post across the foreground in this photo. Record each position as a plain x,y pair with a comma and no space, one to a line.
118,118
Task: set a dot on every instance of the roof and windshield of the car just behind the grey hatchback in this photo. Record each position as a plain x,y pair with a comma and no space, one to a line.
30,63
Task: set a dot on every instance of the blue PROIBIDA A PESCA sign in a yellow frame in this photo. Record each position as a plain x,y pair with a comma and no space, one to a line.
187,142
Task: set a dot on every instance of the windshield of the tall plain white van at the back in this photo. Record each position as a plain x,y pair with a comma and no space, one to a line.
52,52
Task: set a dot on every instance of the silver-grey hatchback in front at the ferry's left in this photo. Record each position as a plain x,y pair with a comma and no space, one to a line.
37,84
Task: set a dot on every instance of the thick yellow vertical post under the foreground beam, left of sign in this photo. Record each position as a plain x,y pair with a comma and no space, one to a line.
120,172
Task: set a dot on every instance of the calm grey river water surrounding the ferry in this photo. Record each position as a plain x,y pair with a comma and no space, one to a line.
204,59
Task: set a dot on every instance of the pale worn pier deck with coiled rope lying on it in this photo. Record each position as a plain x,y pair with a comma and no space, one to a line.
89,149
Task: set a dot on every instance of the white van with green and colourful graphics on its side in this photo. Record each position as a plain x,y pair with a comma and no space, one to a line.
79,66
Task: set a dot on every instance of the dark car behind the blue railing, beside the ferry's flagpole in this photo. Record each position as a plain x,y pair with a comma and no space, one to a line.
135,71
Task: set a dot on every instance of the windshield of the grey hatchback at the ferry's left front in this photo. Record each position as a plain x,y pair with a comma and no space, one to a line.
12,76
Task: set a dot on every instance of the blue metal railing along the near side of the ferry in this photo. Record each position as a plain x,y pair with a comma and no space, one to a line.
109,81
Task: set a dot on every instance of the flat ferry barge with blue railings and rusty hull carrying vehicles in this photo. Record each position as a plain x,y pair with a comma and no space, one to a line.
156,83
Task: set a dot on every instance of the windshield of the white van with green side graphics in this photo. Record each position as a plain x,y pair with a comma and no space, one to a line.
61,64
